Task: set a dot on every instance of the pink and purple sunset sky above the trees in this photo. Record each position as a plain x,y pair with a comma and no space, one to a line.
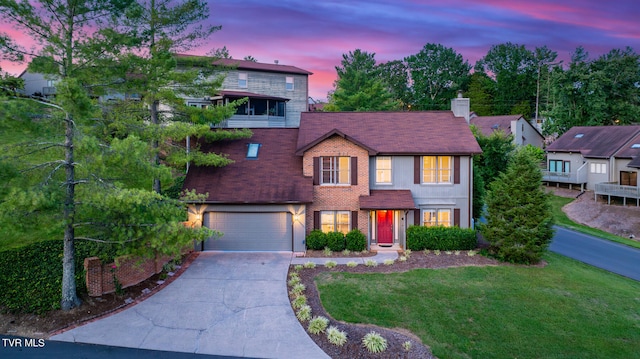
313,35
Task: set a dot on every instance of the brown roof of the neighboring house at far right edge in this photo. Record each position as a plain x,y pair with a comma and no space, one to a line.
594,141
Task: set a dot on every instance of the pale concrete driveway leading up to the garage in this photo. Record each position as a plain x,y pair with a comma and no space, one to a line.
232,304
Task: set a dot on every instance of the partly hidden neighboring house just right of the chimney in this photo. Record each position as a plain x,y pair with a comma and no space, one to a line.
524,133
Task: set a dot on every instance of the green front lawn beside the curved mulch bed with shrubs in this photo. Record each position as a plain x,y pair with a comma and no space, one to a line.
564,310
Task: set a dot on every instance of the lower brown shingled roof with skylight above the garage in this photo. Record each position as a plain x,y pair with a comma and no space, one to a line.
274,177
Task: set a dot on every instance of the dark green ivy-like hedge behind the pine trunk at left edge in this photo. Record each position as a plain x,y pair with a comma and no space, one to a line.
31,276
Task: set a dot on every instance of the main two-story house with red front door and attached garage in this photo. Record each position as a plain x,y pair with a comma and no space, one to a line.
379,172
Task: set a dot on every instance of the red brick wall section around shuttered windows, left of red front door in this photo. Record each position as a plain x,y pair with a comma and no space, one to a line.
333,198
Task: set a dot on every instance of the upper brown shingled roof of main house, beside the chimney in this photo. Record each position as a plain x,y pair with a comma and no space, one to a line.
415,132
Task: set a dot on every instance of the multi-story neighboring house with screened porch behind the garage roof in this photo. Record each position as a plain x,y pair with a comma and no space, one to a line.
277,94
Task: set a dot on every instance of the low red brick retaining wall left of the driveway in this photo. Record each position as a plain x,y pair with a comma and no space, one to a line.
128,271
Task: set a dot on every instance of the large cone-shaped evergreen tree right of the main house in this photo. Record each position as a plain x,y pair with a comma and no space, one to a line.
519,221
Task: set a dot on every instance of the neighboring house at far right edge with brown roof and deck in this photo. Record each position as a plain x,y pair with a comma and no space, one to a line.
600,158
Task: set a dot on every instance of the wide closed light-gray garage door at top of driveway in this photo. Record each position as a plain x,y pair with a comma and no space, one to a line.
250,231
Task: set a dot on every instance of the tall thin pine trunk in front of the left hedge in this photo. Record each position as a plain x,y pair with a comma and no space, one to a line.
69,296
